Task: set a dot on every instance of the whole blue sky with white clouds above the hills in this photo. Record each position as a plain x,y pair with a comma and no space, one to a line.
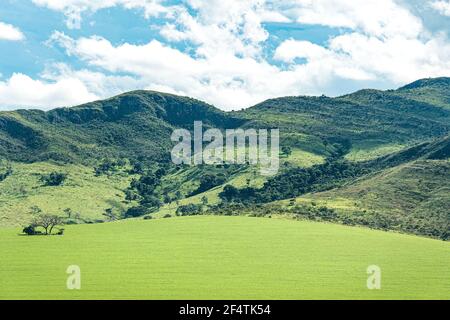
232,54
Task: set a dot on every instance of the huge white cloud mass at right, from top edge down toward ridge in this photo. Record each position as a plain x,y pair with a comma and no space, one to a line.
376,46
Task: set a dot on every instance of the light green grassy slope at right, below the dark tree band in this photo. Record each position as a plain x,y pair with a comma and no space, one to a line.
412,197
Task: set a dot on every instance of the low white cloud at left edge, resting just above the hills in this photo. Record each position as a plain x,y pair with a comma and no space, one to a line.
23,91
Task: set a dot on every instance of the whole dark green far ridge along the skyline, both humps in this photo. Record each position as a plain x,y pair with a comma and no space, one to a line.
138,124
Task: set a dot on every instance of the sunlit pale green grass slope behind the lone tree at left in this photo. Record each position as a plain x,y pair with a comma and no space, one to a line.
82,192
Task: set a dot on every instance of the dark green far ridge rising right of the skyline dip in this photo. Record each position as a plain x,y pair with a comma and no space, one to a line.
369,121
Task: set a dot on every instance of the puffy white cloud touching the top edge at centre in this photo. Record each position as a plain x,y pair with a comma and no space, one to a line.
231,26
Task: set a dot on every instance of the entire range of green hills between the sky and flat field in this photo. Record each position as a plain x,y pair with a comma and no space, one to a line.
372,158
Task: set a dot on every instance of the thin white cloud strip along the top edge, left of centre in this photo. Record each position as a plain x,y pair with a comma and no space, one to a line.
73,9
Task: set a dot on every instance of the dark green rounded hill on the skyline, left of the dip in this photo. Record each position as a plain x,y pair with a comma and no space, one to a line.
132,125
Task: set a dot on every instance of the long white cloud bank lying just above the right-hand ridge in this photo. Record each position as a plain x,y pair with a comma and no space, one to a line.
360,57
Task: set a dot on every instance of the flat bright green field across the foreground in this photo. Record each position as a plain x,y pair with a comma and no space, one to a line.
210,257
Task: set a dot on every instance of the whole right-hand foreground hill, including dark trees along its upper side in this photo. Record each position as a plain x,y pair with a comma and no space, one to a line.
405,191
